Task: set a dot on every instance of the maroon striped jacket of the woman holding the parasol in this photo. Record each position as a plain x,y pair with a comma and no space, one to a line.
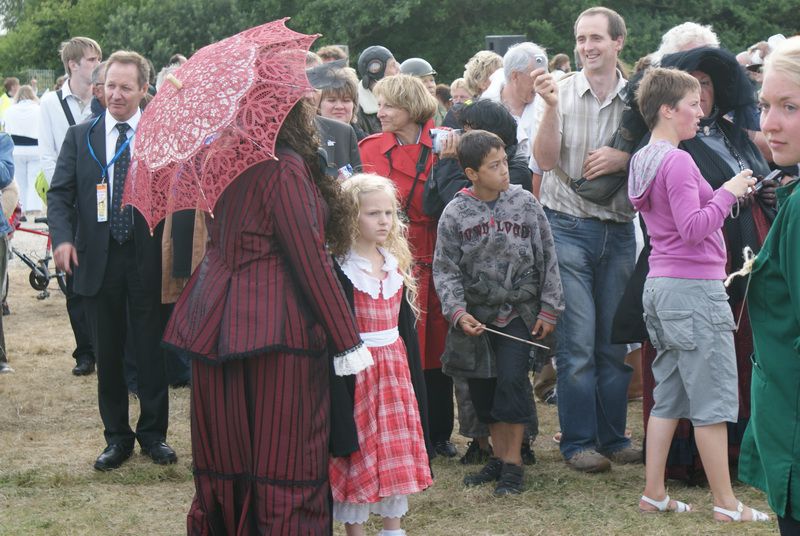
266,283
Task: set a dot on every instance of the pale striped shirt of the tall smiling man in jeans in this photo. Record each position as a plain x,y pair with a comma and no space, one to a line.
586,124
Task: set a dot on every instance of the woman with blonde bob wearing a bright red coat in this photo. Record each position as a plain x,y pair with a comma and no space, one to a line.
403,152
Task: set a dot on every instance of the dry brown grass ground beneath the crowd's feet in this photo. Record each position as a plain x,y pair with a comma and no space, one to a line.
50,434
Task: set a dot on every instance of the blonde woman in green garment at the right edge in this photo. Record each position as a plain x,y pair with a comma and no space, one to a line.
770,453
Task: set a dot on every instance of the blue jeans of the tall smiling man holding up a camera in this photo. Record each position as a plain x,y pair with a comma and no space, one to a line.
596,260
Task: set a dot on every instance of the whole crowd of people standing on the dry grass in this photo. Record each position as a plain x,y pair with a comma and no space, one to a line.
414,247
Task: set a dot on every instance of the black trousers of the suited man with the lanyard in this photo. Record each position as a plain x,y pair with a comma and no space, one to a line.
123,290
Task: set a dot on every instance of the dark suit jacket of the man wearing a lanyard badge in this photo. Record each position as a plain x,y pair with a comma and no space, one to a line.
74,191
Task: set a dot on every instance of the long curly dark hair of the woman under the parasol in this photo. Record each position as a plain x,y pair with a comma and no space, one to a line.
300,133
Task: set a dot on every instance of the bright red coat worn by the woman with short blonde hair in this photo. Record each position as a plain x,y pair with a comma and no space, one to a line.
381,154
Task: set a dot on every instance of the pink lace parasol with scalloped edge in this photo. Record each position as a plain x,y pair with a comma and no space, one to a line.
219,116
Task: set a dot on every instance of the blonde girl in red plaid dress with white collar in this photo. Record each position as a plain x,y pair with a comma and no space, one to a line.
391,461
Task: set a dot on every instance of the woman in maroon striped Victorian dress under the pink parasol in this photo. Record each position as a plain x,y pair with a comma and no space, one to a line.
258,317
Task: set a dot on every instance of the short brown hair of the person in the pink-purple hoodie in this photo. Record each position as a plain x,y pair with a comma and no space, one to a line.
661,86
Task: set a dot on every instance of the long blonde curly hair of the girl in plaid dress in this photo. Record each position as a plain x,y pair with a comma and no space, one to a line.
396,242
